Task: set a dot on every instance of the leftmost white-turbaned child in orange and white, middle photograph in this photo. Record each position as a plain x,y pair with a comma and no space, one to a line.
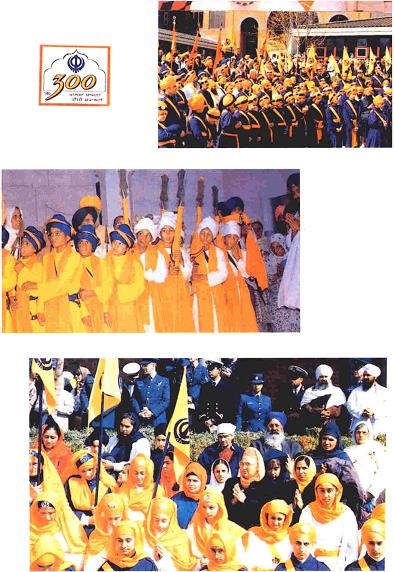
152,306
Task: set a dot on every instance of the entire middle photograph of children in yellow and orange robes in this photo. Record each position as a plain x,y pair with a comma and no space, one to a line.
151,251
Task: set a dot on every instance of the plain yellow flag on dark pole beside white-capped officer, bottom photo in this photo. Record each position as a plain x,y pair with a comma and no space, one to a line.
105,382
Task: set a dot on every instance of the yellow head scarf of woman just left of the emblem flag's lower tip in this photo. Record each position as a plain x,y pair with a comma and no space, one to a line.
139,496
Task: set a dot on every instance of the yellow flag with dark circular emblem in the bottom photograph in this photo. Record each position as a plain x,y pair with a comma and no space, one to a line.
178,428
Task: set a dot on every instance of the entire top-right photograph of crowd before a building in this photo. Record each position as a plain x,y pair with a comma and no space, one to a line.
245,74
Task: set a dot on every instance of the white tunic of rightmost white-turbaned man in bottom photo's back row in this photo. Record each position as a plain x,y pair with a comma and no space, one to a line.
375,399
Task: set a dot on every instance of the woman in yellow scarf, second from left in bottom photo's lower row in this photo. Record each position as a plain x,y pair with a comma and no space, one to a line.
110,512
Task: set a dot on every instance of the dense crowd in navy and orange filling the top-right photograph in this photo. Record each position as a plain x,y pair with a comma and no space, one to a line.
274,102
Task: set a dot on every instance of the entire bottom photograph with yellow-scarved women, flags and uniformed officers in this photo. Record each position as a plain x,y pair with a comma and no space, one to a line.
207,464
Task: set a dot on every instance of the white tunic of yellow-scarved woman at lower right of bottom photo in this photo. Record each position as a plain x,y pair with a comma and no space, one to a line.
340,534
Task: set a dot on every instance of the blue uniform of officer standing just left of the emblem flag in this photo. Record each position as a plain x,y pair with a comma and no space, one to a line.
153,393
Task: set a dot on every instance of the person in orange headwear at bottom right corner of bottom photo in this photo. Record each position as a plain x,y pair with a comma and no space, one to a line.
373,536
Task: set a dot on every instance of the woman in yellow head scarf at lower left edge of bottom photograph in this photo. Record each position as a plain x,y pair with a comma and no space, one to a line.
50,515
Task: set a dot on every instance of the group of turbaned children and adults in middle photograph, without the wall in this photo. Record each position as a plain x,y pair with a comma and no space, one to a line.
66,277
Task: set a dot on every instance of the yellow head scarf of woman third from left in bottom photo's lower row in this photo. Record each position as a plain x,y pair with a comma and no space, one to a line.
174,539
